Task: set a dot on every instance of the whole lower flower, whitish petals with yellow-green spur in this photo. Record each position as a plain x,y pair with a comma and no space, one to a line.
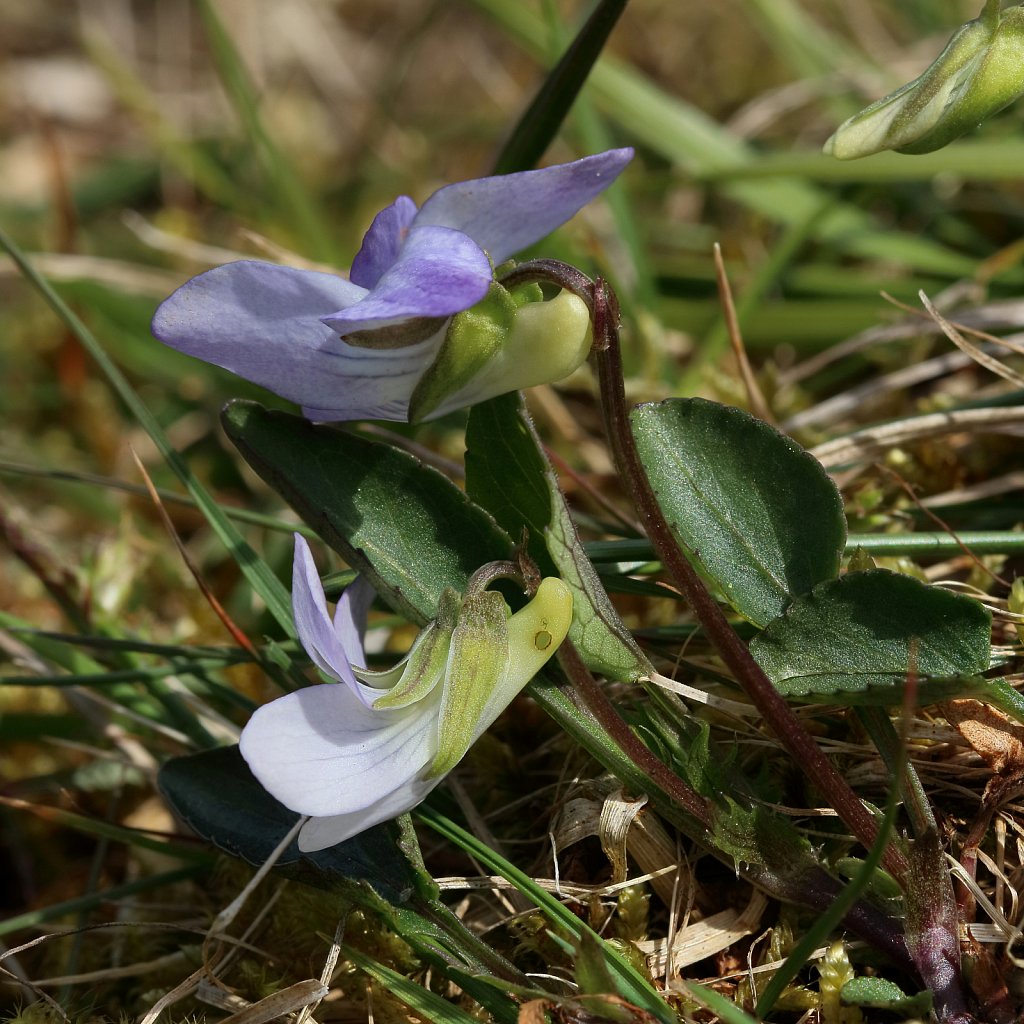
372,746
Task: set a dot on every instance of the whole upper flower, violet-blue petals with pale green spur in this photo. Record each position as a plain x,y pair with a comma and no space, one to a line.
359,349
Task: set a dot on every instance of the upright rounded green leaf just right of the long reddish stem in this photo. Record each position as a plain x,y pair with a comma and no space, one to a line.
757,513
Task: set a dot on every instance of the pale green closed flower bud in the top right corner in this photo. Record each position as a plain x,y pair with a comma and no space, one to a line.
980,72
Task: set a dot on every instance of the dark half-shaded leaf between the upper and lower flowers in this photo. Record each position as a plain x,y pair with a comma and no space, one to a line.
404,525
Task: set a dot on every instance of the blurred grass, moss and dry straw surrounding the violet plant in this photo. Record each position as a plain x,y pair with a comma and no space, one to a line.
143,143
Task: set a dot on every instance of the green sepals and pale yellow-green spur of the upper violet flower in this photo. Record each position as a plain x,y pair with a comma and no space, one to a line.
510,340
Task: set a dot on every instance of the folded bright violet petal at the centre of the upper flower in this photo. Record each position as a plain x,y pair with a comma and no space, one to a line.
439,273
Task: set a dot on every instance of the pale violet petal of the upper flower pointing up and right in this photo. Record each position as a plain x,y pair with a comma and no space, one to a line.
509,212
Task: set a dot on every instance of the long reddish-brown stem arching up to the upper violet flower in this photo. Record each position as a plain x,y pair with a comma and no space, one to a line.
734,652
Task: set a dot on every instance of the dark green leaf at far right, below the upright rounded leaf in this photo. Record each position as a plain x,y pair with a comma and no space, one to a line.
859,637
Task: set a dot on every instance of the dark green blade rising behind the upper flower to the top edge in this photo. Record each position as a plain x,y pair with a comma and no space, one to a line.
544,117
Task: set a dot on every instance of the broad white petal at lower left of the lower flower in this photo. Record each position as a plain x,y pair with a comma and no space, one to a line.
321,752
